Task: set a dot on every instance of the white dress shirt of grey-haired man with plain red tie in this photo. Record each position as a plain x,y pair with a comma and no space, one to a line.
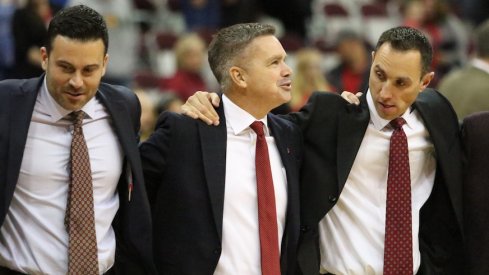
240,238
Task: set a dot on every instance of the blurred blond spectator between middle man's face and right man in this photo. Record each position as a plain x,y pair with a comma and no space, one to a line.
308,77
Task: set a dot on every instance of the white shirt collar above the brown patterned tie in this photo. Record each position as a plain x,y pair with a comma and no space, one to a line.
55,111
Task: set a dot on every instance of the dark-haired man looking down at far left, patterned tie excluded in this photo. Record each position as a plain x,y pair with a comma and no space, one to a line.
35,143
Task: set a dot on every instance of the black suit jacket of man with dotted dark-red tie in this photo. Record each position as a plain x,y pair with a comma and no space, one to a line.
333,131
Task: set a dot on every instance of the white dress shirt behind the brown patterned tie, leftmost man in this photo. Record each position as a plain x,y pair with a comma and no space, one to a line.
33,237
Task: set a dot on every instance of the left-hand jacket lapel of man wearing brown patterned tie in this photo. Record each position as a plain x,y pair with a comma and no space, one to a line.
21,108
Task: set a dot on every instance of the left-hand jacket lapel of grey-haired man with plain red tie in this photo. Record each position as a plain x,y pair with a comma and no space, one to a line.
213,140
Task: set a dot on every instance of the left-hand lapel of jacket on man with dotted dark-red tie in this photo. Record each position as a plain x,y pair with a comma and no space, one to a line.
351,130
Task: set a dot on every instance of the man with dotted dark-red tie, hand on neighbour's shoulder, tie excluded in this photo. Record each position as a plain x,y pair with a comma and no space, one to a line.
347,152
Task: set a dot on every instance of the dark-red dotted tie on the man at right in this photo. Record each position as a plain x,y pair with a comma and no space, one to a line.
398,250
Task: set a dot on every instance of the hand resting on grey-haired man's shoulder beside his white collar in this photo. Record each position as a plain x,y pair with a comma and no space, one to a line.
201,106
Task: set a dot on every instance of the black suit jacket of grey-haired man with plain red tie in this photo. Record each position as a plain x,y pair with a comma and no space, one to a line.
184,167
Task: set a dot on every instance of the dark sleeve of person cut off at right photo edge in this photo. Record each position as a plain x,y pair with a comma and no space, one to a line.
476,192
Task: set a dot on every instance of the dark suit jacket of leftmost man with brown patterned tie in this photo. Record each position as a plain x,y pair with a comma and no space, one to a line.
132,223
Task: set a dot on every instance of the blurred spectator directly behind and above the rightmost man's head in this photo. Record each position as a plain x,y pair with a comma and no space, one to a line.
447,33
